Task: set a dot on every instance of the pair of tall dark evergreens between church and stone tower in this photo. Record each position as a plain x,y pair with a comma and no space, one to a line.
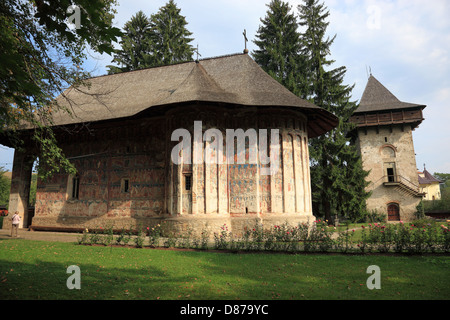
295,52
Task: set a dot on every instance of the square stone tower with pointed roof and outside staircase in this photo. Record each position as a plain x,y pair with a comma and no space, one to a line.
384,137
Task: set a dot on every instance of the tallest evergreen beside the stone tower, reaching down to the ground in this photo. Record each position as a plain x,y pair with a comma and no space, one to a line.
336,169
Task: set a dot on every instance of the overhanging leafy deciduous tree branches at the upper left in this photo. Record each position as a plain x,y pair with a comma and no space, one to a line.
41,56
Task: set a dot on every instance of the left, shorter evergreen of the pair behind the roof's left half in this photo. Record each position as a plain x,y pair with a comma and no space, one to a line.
135,52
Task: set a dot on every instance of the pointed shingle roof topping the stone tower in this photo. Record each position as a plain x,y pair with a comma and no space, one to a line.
377,97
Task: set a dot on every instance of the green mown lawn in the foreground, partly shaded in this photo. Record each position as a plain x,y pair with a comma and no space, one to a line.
37,270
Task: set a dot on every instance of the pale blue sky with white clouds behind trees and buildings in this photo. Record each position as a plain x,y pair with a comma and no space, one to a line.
406,44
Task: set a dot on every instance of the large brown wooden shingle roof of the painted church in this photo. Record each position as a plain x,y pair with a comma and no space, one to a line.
235,80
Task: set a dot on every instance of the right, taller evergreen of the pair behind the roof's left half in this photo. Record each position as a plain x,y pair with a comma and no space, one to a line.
170,37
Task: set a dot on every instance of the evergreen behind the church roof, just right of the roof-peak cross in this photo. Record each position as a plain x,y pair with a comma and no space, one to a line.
279,46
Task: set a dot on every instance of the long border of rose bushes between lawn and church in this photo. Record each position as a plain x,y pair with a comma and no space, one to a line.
419,237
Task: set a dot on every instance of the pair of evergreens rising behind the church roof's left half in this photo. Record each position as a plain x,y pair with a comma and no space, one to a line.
160,39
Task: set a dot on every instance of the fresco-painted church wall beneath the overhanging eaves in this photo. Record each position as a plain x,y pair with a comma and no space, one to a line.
127,177
